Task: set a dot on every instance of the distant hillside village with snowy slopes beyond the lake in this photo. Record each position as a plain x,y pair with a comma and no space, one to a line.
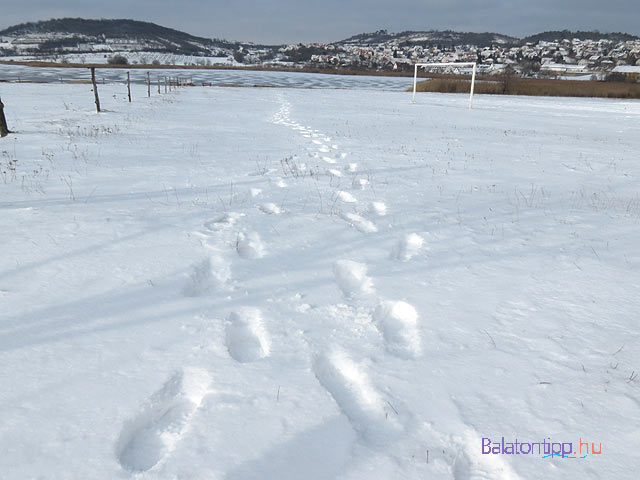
388,52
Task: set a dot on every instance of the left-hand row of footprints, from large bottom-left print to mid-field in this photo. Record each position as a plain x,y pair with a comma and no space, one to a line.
151,435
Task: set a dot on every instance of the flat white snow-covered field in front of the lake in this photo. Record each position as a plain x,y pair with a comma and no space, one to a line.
250,283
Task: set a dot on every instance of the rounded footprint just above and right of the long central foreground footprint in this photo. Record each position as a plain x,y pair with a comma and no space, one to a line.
398,322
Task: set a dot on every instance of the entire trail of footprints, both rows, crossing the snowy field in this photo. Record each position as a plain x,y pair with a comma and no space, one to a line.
165,418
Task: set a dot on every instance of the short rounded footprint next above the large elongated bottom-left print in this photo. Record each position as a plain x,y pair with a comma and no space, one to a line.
246,338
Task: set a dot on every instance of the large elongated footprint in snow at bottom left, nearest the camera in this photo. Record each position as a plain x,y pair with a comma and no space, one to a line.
155,432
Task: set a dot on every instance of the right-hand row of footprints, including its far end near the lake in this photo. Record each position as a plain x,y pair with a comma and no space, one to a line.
397,321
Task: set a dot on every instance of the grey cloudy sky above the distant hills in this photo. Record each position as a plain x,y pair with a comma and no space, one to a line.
290,21
